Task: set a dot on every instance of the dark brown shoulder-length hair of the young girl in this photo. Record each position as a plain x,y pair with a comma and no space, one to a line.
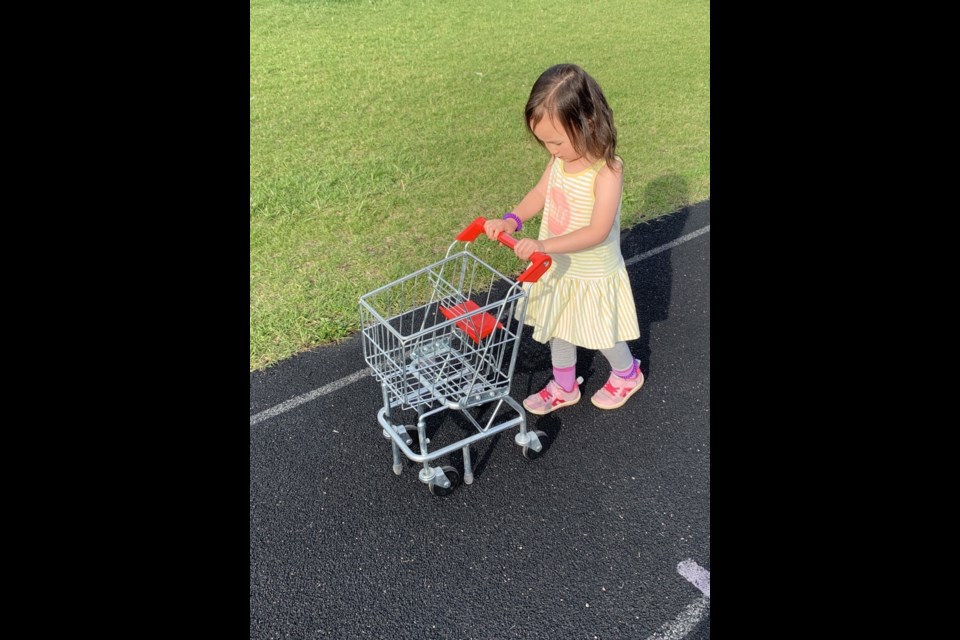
568,94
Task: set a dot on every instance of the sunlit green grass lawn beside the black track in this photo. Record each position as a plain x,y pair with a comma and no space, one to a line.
380,128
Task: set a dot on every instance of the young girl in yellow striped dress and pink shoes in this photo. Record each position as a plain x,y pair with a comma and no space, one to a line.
584,299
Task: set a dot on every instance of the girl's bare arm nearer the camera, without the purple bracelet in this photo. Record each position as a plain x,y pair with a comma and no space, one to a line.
607,191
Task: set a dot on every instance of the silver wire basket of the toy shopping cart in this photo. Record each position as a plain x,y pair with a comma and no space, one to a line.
445,334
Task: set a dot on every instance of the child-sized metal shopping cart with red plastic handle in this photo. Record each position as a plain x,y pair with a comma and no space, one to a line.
446,337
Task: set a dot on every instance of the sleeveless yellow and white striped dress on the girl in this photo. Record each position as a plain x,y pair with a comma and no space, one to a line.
585,296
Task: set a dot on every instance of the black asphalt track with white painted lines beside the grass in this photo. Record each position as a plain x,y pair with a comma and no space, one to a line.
605,535
